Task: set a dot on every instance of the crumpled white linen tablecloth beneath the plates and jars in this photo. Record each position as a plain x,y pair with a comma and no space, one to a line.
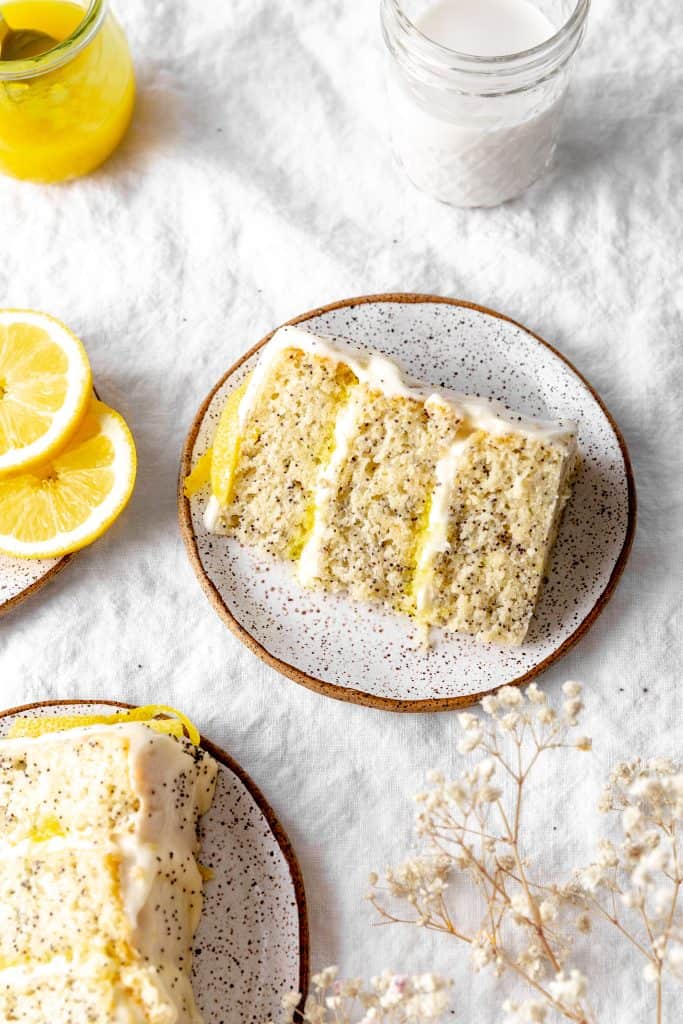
257,184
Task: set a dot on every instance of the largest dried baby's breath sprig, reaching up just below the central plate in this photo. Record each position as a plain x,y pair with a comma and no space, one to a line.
472,827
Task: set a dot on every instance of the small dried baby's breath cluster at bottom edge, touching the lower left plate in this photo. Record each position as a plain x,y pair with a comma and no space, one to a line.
390,999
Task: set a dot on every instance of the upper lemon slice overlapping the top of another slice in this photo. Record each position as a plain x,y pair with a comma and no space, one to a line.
46,387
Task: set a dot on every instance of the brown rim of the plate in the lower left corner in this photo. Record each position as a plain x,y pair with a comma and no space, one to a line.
281,836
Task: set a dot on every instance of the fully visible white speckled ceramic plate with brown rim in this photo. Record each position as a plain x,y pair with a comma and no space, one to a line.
362,654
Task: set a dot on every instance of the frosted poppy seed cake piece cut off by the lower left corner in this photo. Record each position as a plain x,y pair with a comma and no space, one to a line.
101,892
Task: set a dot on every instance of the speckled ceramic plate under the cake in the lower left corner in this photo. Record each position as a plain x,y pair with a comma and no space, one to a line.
252,945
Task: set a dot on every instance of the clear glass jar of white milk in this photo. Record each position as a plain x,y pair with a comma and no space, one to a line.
477,90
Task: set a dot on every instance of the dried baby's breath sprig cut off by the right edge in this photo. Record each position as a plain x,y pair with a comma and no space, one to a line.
635,884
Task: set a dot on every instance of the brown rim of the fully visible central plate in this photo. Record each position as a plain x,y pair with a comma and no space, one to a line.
360,697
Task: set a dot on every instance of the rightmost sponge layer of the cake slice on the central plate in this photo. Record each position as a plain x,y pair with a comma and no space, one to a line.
503,500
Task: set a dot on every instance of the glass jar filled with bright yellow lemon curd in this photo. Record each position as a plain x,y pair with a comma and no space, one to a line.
64,112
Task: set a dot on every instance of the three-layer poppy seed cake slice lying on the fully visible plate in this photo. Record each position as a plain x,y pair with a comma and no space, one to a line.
436,504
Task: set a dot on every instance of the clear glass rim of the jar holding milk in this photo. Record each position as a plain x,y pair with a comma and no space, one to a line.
536,57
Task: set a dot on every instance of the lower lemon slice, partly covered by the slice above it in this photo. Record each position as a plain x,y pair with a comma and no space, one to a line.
70,501
